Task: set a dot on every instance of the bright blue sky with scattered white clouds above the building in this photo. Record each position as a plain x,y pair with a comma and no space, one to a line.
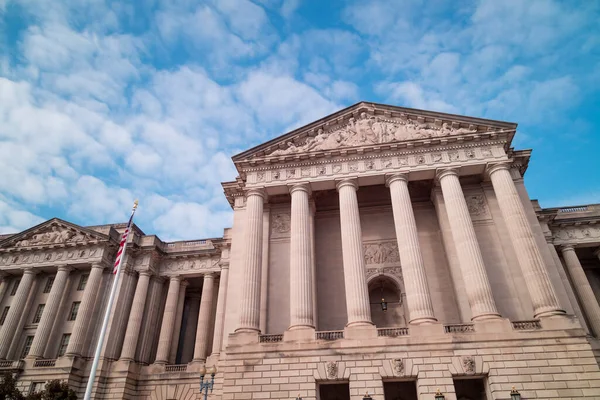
105,101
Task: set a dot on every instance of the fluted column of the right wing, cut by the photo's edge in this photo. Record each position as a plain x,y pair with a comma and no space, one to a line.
582,287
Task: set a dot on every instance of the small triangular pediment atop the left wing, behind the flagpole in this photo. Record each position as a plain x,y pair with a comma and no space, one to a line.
54,232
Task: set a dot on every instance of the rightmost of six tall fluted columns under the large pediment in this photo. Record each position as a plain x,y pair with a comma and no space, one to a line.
543,297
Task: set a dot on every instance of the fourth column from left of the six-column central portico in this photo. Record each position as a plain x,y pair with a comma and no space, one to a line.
418,299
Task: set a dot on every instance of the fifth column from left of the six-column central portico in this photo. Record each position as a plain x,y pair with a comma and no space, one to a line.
469,255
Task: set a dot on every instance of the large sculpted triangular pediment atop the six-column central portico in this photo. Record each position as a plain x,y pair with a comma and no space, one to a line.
369,125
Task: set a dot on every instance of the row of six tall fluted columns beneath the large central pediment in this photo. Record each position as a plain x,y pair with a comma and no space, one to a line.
477,284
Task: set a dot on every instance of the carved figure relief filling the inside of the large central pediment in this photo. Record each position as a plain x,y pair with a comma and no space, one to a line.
366,130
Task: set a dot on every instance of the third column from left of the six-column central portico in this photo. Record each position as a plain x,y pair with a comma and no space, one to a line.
355,282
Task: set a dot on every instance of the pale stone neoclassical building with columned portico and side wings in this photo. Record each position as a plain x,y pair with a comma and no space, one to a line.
380,249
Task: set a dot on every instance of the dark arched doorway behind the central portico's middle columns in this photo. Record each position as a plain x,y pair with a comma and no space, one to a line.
384,287
